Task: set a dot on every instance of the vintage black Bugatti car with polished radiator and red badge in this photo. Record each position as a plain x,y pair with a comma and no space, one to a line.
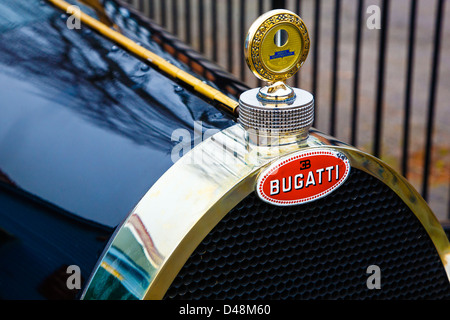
131,167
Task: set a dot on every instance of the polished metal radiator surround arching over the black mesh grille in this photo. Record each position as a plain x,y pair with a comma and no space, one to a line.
187,202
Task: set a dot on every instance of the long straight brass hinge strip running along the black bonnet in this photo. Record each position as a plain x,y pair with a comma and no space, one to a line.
203,89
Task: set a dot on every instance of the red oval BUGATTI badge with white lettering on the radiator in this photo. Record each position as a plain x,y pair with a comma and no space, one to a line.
303,177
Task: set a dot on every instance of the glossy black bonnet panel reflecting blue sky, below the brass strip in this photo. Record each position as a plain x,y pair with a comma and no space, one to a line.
83,124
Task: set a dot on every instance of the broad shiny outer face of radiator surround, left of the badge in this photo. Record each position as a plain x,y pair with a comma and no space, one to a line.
198,181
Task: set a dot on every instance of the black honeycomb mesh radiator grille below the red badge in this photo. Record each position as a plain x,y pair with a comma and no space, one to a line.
319,250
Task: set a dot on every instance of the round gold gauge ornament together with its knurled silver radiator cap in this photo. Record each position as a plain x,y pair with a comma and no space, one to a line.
276,46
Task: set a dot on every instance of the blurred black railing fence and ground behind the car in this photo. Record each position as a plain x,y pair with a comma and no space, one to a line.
385,91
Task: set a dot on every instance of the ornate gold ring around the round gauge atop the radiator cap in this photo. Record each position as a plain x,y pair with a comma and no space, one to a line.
256,36
